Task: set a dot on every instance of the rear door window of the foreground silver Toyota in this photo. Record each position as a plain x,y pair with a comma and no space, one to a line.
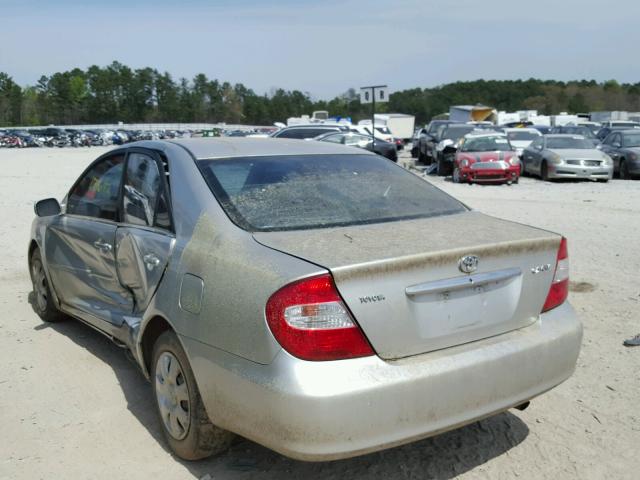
144,198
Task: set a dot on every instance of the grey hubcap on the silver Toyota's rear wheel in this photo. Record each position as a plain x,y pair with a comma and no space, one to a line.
172,395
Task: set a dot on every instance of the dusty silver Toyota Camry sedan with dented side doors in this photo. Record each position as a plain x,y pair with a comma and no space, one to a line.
314,298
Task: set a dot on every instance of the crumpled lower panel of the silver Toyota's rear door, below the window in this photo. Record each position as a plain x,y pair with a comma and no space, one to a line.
141,258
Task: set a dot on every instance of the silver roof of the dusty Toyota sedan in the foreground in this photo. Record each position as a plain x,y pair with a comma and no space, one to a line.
225,147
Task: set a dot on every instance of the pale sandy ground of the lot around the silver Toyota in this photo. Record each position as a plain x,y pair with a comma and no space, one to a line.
73,406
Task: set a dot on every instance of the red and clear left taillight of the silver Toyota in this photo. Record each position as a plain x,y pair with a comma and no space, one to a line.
310,321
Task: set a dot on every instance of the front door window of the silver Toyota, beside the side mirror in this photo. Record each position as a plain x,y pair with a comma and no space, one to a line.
96,193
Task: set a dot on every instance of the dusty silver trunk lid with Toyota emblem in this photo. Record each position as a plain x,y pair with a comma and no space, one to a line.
405,285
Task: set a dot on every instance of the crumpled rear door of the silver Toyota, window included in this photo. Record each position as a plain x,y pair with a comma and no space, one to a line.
145,238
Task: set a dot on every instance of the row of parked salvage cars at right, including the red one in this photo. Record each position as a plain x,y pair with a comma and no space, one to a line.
484,153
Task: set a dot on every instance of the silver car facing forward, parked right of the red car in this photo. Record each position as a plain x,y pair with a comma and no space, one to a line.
566,156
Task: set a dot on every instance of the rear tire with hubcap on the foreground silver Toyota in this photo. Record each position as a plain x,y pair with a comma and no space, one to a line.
184,420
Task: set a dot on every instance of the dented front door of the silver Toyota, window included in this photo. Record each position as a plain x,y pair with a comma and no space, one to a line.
80,245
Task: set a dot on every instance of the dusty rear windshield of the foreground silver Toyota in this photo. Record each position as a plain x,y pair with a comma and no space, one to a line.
318,191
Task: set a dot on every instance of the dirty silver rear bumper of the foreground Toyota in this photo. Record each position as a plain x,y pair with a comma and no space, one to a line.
330,410
